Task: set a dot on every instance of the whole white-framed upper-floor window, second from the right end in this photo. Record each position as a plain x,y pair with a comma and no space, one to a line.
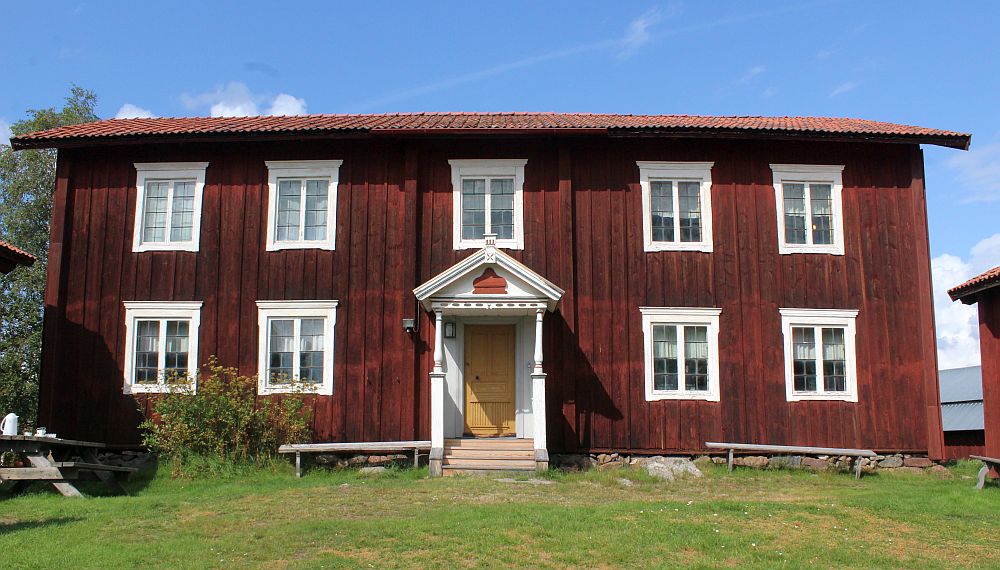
676,205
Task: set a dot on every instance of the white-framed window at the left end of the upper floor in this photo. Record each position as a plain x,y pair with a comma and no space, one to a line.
168,205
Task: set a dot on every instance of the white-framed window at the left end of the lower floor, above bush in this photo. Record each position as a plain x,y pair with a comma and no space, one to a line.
161,345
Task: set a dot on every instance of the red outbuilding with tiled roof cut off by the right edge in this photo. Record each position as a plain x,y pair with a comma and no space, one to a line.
985,290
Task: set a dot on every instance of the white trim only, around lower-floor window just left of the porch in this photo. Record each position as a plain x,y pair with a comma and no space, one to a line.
267,310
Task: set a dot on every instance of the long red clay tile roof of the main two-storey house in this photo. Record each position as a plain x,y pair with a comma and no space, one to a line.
818,127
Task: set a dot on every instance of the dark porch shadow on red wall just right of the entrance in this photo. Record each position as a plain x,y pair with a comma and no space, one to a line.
579,384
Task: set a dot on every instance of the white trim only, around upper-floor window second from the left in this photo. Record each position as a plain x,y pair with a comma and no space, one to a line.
277,169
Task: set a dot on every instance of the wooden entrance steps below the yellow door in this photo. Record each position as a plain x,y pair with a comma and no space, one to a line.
488,455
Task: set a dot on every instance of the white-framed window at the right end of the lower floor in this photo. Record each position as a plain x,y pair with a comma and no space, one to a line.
820,354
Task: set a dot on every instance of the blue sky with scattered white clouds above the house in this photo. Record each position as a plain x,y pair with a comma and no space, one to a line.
923,63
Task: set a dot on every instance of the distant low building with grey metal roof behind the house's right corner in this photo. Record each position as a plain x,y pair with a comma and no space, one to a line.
962,411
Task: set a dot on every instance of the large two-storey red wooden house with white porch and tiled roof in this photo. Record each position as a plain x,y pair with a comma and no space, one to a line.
639,284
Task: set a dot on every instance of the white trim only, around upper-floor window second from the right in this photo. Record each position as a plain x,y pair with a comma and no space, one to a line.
683,171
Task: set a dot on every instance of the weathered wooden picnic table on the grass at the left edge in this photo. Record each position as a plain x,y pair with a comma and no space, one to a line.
59,462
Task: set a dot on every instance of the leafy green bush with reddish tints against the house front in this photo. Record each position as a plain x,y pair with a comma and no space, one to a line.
223,423
